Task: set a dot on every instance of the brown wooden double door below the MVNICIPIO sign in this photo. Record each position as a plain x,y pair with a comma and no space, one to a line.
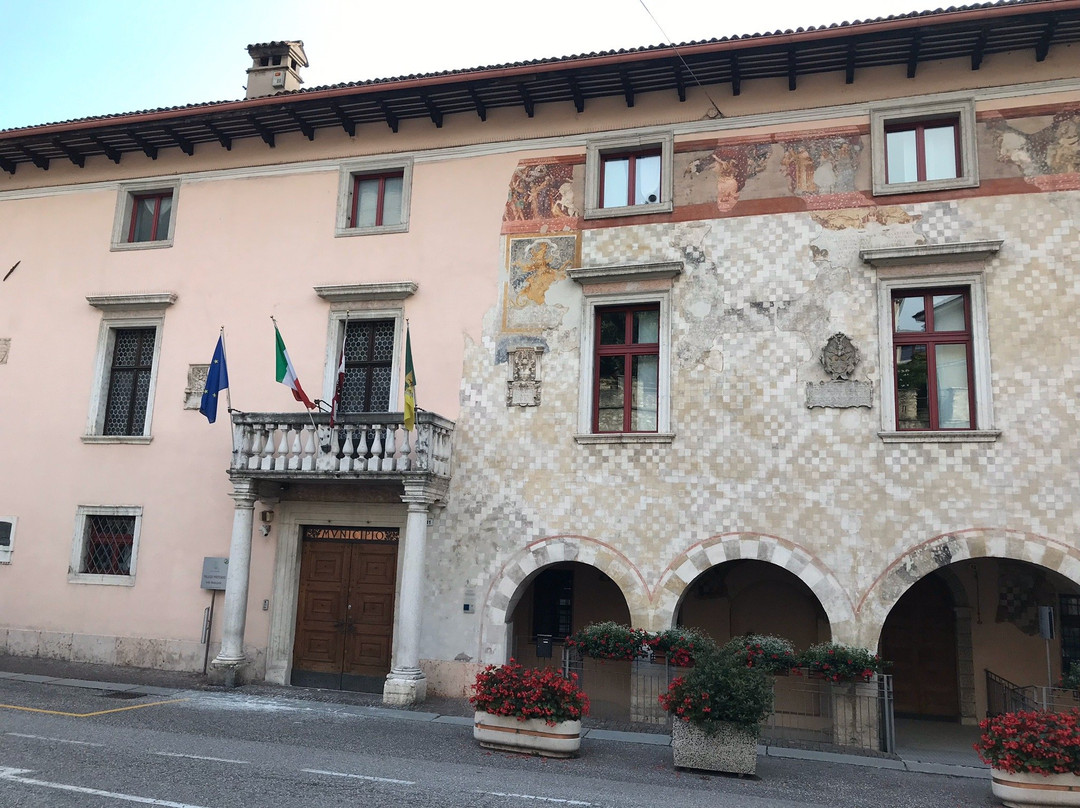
345,613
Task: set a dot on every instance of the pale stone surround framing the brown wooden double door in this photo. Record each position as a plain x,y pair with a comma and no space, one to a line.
287,568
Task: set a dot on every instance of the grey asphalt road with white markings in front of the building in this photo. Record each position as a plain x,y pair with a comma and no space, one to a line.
69,748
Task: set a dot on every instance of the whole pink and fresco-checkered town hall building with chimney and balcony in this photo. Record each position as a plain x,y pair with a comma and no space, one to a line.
767,335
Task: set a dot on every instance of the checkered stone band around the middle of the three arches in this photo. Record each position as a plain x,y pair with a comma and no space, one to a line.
677,580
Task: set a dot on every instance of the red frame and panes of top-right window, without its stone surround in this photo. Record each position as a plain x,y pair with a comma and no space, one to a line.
920,152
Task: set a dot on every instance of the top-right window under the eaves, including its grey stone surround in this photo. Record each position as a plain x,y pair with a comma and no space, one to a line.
924,149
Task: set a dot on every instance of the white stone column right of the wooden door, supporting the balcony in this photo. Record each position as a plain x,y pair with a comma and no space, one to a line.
407,683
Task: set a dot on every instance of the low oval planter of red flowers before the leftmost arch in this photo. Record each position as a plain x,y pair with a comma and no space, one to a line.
529,710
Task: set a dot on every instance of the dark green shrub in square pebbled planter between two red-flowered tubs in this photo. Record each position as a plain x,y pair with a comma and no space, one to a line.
718,709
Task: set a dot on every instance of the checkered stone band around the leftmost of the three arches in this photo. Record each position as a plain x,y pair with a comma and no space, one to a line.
510,583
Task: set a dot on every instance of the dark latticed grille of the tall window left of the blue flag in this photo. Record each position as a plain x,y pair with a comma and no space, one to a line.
130,373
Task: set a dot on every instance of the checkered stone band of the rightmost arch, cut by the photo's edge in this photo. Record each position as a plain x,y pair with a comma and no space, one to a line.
941,551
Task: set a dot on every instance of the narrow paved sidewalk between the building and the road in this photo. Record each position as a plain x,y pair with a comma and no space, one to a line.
923,748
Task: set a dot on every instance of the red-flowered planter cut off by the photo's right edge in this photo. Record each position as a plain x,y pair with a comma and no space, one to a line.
1035,758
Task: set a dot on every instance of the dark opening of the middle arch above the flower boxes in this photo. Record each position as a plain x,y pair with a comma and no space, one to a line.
747,597
